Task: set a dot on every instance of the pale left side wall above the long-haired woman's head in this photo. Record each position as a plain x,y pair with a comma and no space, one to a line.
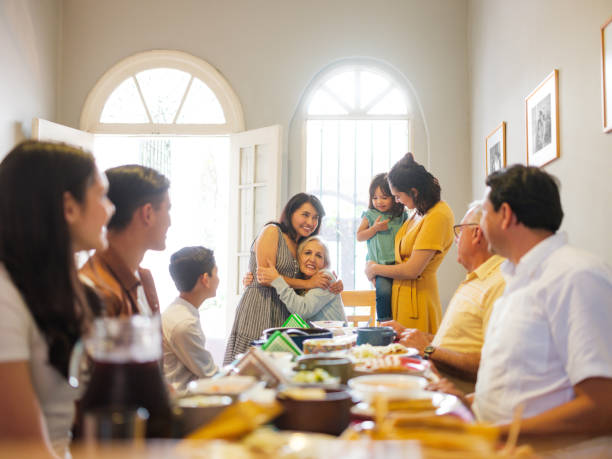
29,33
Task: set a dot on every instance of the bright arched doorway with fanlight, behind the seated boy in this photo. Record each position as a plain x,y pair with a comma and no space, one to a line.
173,112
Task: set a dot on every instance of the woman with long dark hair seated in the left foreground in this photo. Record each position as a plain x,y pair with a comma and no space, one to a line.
52,204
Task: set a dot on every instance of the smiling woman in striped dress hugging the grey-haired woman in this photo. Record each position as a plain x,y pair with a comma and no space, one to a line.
260,307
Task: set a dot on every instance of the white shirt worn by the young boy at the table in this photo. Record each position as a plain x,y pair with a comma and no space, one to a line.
184,352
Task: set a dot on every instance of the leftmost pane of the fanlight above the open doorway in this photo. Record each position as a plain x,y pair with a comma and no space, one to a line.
124,105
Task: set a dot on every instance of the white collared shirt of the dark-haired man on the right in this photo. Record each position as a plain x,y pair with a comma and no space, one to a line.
549,331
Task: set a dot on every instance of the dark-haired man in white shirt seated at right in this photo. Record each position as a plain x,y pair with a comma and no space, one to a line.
548,345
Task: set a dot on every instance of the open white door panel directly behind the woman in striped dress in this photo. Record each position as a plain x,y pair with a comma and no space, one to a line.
255,168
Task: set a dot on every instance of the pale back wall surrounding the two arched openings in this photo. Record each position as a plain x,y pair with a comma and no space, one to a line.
270,50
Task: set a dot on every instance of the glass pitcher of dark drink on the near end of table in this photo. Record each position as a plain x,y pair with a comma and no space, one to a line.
126,373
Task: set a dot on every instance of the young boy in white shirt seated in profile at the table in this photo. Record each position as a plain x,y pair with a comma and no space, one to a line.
185,357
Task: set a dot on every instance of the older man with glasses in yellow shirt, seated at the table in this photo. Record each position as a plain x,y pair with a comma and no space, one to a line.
455,348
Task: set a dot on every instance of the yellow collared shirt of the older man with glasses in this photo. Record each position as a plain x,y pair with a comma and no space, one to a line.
465,321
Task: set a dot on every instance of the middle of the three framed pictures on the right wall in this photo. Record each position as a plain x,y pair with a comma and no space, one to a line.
542,121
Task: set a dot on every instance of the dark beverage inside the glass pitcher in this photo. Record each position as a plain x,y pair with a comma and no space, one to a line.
131,385
